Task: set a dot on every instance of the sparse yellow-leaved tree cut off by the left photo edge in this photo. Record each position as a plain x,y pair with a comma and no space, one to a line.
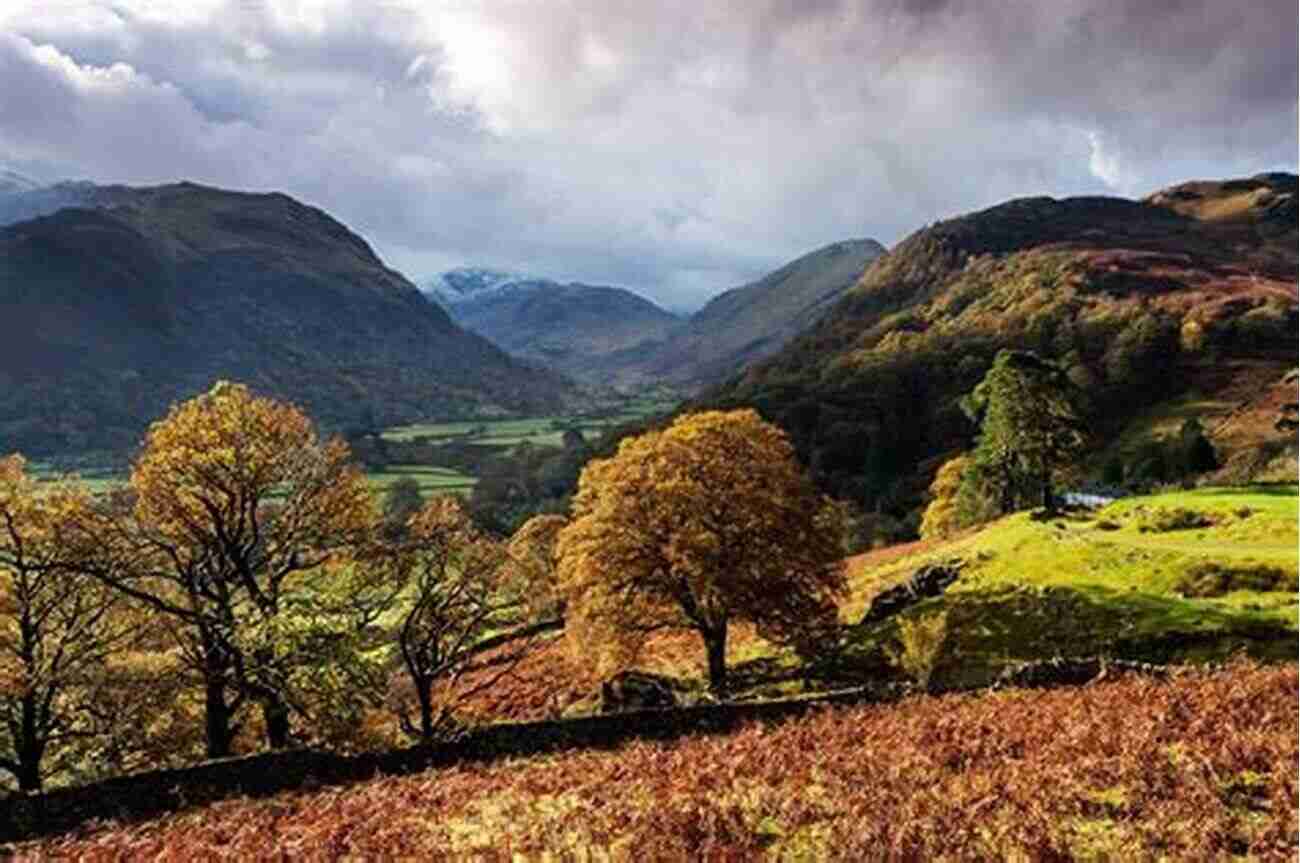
59,630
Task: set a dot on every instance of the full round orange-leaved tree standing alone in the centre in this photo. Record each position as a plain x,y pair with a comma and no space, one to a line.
707,523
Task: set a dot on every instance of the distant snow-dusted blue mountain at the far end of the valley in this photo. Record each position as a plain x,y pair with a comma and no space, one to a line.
584,331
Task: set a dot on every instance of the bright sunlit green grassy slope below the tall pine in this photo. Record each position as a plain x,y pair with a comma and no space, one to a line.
1186,576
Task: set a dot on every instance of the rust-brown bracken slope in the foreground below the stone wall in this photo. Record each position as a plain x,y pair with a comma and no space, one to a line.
1197,767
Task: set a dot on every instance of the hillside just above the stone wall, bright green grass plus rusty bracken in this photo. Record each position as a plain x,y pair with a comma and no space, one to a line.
1186,578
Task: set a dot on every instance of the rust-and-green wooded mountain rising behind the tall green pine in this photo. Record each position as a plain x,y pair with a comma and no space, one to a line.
1180,306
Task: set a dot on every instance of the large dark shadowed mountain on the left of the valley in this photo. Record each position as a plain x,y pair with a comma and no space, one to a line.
115,311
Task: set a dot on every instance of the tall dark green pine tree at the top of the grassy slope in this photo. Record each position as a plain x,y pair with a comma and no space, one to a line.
1030,430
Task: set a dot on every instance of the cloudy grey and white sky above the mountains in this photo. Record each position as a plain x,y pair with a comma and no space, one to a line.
678,148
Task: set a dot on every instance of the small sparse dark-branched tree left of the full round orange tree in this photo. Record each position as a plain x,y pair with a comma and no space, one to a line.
463,626
